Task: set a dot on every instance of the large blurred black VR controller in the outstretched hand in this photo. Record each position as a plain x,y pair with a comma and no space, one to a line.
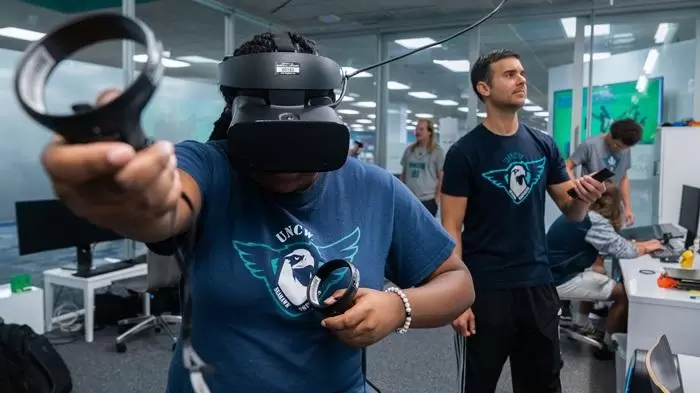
117,120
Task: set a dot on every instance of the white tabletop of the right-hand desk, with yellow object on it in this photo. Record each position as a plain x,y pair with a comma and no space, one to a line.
643,288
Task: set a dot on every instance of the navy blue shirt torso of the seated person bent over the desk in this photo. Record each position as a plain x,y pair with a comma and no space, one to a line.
569,252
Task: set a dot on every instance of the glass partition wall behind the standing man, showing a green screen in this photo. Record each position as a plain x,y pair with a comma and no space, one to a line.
582,70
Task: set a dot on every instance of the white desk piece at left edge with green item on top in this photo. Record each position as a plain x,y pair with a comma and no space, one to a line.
24,308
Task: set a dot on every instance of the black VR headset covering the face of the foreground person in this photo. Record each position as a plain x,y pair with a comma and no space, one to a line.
283,110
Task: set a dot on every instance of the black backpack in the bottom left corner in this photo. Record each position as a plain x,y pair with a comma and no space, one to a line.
29,363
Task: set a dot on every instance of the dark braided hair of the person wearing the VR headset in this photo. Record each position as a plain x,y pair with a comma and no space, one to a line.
261,43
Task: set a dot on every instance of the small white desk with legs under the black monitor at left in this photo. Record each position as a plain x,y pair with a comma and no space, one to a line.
88,285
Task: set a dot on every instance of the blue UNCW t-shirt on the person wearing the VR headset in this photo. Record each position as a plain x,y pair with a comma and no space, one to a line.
253,261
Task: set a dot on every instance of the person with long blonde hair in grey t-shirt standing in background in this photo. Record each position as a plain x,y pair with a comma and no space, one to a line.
422,163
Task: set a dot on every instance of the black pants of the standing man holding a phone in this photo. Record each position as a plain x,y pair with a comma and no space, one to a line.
519,323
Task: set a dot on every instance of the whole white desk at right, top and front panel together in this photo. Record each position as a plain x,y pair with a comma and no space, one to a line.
654,311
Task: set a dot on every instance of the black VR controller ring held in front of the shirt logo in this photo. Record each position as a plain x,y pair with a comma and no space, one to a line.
342,303
